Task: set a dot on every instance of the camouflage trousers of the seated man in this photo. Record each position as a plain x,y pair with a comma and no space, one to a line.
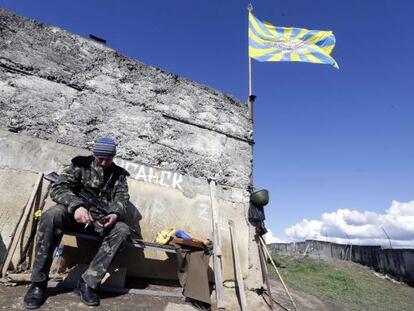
52,224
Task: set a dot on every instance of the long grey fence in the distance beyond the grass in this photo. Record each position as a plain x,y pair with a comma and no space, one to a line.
398,263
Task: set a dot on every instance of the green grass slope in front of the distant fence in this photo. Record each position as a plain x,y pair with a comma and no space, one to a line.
347,285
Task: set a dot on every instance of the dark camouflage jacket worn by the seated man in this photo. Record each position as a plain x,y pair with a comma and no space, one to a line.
109,185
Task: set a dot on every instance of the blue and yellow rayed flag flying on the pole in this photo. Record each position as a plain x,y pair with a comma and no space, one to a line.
268,43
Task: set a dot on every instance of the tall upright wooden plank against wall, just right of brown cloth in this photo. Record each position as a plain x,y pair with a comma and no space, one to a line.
218,273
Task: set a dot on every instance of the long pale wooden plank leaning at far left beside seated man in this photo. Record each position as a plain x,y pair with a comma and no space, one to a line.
21,225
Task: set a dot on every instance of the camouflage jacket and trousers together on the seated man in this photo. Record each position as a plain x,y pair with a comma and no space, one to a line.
110,186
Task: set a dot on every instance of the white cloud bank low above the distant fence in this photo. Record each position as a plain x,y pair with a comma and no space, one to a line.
363,228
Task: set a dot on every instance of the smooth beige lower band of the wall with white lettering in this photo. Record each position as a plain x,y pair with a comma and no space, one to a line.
159,199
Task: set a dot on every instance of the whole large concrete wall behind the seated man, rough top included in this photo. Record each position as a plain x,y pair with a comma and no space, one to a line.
59,91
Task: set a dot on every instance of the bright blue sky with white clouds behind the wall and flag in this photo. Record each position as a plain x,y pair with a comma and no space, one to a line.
327,140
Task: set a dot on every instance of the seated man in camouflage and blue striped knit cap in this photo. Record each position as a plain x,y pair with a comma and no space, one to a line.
108,181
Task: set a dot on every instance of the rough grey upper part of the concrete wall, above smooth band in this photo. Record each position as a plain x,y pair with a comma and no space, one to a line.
61,87
